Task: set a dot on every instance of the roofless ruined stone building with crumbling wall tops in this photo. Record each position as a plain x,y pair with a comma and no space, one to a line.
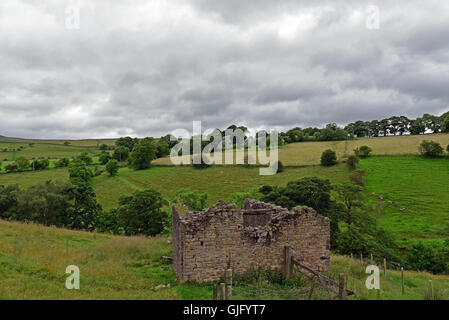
205,243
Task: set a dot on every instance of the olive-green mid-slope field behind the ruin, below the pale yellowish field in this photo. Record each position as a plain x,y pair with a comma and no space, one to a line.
218,182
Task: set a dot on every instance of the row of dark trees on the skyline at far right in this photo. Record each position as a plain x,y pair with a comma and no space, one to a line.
399,125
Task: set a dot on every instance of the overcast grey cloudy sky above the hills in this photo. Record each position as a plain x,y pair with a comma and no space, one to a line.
145,68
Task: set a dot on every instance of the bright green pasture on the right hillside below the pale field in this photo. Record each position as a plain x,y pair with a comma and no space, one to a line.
418,186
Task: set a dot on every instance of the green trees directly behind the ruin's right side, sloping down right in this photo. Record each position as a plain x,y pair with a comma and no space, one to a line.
352,229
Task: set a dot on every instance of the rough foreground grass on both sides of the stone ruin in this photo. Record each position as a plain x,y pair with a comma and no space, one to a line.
33,260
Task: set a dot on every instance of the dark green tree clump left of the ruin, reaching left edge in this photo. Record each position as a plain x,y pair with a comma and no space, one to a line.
73,205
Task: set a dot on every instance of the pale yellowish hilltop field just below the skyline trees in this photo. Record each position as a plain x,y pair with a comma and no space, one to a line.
309,153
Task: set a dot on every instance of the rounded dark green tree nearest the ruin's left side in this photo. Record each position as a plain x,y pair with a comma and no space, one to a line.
142,213
